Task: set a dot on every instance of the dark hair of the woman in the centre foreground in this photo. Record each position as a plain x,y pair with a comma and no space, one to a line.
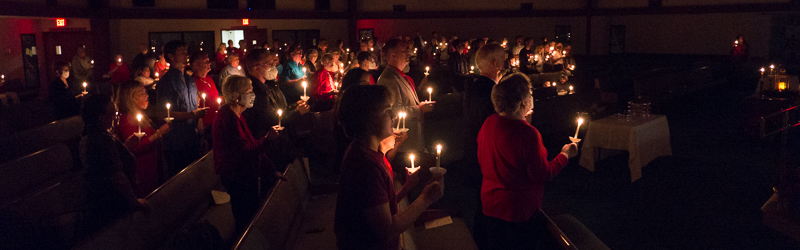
359,107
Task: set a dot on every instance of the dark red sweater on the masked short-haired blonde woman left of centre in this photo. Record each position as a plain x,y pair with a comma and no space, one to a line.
237,155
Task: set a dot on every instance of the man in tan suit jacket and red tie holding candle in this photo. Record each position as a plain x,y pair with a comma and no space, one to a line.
404,93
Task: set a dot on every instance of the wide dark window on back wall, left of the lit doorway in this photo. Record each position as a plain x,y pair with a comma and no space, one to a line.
196,41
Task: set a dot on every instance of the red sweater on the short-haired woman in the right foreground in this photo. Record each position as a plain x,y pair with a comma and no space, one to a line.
515,168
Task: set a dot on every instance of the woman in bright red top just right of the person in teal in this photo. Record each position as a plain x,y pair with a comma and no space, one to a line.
324,86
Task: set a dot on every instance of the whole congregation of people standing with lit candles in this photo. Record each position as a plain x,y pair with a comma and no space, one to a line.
249,105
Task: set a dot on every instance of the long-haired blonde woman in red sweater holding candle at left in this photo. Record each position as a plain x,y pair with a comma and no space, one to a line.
132,101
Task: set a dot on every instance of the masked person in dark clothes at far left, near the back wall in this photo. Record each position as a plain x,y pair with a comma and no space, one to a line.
61,97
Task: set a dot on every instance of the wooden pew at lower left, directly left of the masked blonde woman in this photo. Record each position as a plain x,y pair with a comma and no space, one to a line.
183,199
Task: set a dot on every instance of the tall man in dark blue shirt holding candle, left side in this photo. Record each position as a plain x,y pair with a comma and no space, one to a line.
181,146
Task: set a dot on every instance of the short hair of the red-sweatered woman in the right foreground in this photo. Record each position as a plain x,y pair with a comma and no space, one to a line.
510,92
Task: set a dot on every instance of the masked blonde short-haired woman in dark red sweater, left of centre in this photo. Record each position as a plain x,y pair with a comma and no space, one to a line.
240,159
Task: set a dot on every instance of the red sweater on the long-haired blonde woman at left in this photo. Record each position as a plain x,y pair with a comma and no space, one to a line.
146,154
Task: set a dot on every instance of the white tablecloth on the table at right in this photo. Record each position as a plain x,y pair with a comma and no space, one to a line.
645,138
